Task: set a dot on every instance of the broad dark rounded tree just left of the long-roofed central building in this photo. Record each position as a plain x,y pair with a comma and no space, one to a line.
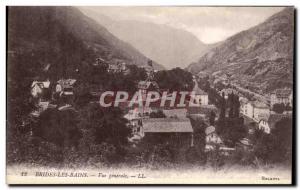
104,125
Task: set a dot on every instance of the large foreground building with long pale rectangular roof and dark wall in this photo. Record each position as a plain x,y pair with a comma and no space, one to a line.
178,132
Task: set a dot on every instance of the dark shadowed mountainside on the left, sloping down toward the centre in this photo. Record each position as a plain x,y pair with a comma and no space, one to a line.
64,40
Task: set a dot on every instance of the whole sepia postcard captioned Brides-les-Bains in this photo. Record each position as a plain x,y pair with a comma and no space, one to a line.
150,95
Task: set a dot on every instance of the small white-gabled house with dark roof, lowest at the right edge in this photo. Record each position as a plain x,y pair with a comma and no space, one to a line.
268,123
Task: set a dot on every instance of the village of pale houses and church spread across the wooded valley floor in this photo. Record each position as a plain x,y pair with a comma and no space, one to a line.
181,127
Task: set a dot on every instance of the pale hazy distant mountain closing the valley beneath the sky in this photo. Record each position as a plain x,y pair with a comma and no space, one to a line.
166,45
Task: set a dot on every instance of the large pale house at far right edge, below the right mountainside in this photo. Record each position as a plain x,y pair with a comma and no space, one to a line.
279,96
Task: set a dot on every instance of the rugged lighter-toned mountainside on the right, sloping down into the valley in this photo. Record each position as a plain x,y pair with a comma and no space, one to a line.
260,58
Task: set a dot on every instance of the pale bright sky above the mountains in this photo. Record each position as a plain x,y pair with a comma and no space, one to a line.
208,24
